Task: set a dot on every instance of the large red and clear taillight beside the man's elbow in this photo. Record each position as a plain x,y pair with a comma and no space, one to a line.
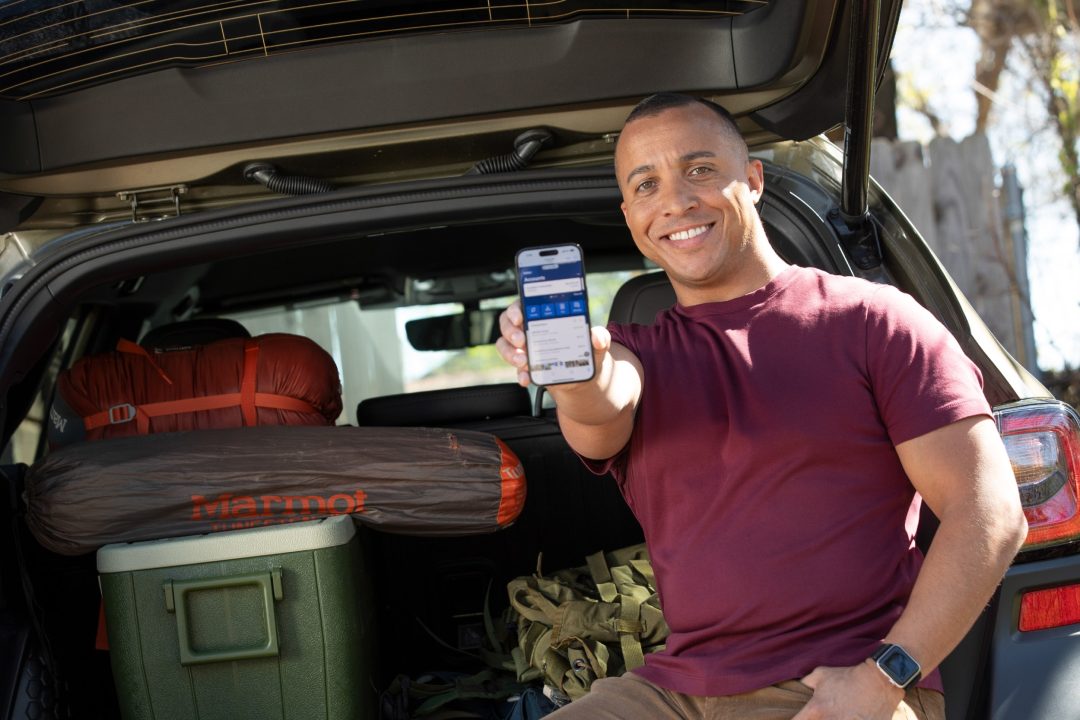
1044,444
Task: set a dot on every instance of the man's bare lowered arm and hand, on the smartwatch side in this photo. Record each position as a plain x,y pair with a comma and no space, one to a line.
964,476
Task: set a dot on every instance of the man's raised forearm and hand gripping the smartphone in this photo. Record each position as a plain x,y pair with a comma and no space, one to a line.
597,417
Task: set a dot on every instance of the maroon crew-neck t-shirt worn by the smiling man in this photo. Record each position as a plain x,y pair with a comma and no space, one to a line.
762,468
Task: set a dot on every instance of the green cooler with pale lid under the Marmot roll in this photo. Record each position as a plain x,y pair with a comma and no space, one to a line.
265,623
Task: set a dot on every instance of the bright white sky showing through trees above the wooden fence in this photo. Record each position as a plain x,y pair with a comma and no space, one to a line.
927,43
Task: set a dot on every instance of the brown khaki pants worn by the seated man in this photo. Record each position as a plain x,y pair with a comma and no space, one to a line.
632,698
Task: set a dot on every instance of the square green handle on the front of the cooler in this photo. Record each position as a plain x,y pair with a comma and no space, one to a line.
177,593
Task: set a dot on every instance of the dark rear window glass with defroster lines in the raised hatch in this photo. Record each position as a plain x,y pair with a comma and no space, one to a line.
56,48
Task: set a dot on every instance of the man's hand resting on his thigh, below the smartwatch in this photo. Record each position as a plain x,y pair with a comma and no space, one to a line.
861,692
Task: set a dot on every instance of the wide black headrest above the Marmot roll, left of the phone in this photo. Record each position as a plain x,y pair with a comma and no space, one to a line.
436,409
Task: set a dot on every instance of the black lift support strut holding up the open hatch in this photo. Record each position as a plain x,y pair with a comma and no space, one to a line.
853,221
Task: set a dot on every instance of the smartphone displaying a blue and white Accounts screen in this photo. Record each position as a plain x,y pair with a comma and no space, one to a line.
551,282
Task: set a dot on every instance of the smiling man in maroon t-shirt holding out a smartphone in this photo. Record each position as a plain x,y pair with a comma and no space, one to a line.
771,433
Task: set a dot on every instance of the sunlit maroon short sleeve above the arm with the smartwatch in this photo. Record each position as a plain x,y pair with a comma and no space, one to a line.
921,377
